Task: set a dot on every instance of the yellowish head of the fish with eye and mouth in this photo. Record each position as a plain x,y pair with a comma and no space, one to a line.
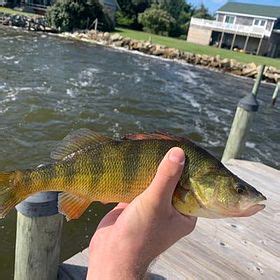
222,194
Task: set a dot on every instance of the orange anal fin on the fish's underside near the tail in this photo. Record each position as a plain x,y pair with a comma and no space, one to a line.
72,206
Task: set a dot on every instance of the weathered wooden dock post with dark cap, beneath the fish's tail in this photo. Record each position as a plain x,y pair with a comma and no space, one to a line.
38,238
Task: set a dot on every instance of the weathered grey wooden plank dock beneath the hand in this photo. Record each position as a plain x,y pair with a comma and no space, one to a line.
240,248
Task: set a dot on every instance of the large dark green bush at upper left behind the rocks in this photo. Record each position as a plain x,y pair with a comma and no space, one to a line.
67,15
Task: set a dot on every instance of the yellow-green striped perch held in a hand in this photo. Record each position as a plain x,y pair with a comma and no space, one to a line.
89,167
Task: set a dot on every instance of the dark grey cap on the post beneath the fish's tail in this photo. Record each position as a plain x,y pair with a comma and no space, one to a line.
39,205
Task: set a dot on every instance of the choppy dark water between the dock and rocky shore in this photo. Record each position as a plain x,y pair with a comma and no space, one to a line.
50,86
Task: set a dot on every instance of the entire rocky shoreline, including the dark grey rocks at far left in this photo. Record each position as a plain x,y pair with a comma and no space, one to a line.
117,41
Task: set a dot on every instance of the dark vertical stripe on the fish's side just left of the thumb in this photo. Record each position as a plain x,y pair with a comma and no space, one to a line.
131,163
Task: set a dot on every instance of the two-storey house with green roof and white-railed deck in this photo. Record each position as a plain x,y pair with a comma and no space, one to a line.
249,28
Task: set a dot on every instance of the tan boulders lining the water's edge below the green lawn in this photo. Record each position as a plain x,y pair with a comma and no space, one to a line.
146,48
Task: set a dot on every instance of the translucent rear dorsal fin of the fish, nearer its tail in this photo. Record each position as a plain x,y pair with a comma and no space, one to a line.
77,140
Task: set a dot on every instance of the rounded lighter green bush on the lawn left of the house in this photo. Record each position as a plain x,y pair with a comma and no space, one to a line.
156,20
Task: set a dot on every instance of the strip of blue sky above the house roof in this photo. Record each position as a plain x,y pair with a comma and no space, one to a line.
213,5
